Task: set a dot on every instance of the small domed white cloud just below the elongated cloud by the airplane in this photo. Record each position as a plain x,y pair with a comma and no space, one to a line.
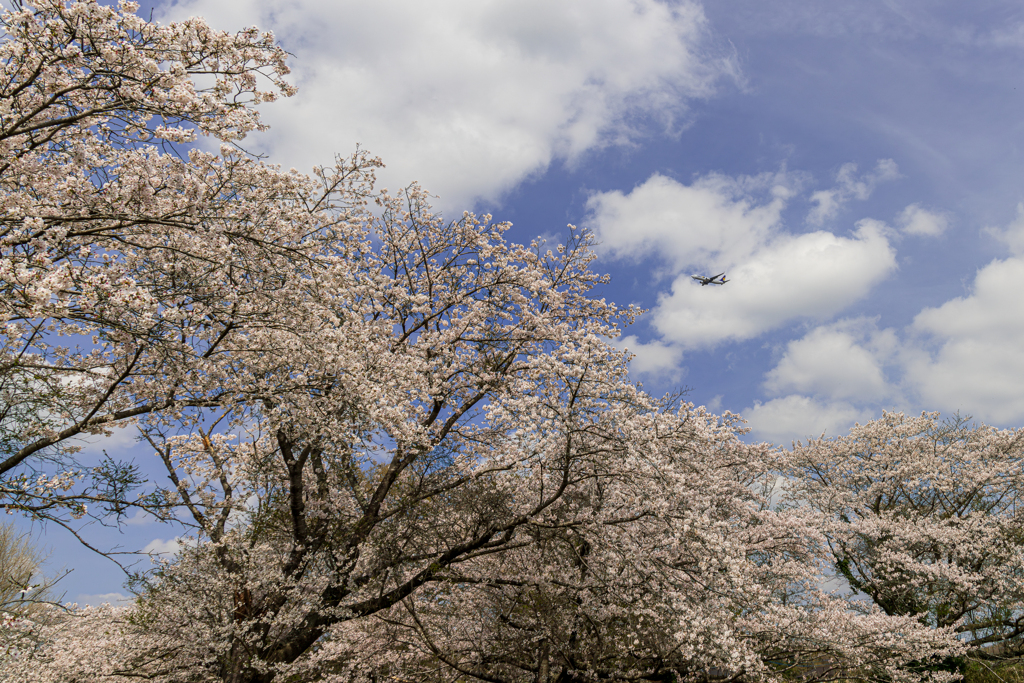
843,361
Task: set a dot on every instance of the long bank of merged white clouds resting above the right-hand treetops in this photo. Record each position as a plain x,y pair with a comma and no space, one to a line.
965,356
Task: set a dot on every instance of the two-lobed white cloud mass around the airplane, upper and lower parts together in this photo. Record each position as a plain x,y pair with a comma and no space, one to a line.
735,226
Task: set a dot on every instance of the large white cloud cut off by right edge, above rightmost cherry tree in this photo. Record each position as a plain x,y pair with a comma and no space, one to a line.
979,359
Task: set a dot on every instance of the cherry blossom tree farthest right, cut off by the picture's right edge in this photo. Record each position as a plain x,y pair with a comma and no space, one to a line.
926,519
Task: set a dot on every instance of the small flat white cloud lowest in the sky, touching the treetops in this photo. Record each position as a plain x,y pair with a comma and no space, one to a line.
797,417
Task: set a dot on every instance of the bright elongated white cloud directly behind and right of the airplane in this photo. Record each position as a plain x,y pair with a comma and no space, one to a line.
816,276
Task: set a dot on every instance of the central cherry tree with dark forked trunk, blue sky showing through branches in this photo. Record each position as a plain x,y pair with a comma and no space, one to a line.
446,391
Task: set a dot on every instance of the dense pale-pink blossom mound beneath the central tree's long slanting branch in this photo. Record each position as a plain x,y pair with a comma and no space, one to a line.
682,573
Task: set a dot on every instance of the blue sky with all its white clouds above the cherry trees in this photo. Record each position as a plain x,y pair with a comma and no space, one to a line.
857,168
